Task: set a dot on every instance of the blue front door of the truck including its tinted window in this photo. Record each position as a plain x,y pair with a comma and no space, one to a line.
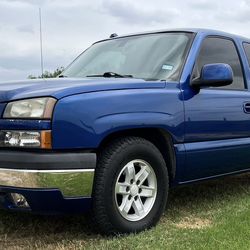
217,120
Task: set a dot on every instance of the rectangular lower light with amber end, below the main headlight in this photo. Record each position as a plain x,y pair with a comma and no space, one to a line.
28,139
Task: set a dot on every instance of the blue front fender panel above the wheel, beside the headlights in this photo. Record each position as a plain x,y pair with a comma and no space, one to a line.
83,121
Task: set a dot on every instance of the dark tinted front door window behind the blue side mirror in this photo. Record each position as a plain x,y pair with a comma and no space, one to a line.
220,50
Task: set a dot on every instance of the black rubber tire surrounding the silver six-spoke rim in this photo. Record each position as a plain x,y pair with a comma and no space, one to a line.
150,154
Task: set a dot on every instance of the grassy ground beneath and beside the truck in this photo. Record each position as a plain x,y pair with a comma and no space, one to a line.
211,215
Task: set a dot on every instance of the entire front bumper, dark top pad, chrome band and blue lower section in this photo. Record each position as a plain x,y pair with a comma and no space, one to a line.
49,182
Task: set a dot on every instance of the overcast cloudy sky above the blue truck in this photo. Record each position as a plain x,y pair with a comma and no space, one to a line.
69,27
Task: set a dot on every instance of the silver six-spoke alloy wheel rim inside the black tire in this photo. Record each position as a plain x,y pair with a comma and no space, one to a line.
135,190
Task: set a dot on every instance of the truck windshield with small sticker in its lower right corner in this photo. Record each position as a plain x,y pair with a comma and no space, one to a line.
151,57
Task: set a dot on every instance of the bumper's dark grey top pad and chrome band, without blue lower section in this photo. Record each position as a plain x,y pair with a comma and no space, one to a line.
71,173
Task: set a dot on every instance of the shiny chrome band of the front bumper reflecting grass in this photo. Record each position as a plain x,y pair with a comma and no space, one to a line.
72,183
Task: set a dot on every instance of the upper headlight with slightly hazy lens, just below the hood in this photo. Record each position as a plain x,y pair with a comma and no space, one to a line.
38,108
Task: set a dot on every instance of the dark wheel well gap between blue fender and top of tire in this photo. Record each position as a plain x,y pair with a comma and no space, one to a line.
161,138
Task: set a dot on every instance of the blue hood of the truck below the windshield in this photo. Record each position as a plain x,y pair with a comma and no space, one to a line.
61,87
